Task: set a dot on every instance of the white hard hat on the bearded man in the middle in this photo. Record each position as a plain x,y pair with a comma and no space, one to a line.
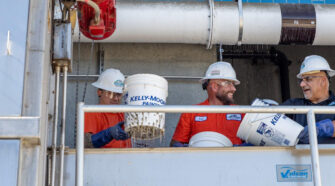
221,70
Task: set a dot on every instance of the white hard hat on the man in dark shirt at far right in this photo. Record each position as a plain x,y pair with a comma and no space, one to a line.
315,63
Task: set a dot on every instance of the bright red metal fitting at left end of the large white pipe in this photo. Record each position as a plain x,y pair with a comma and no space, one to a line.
107,23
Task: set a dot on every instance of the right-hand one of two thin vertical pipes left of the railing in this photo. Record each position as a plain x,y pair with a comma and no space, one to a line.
62,143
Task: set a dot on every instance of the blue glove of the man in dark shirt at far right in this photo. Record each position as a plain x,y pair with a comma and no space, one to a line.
324,128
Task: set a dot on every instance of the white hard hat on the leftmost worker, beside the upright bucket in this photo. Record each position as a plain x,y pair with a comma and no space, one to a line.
111,80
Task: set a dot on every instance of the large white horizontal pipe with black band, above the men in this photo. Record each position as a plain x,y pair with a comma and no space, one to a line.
219,23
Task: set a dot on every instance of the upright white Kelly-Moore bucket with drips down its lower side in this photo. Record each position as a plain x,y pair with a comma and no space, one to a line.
146,89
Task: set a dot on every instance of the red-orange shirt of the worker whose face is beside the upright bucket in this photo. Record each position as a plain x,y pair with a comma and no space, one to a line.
96,122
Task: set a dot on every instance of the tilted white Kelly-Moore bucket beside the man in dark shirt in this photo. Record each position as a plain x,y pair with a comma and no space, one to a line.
268,129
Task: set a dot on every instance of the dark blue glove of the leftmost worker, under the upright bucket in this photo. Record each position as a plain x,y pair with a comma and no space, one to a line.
103,137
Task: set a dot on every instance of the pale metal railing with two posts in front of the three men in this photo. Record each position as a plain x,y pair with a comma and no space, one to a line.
309,110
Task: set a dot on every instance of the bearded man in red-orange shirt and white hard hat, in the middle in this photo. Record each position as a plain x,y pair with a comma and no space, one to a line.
219,82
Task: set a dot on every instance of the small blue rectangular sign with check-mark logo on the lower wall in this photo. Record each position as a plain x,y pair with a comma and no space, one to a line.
294,173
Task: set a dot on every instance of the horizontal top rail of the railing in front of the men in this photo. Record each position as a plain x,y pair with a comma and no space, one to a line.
210,109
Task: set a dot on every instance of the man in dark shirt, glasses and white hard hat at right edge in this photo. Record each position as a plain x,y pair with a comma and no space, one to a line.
314,78
